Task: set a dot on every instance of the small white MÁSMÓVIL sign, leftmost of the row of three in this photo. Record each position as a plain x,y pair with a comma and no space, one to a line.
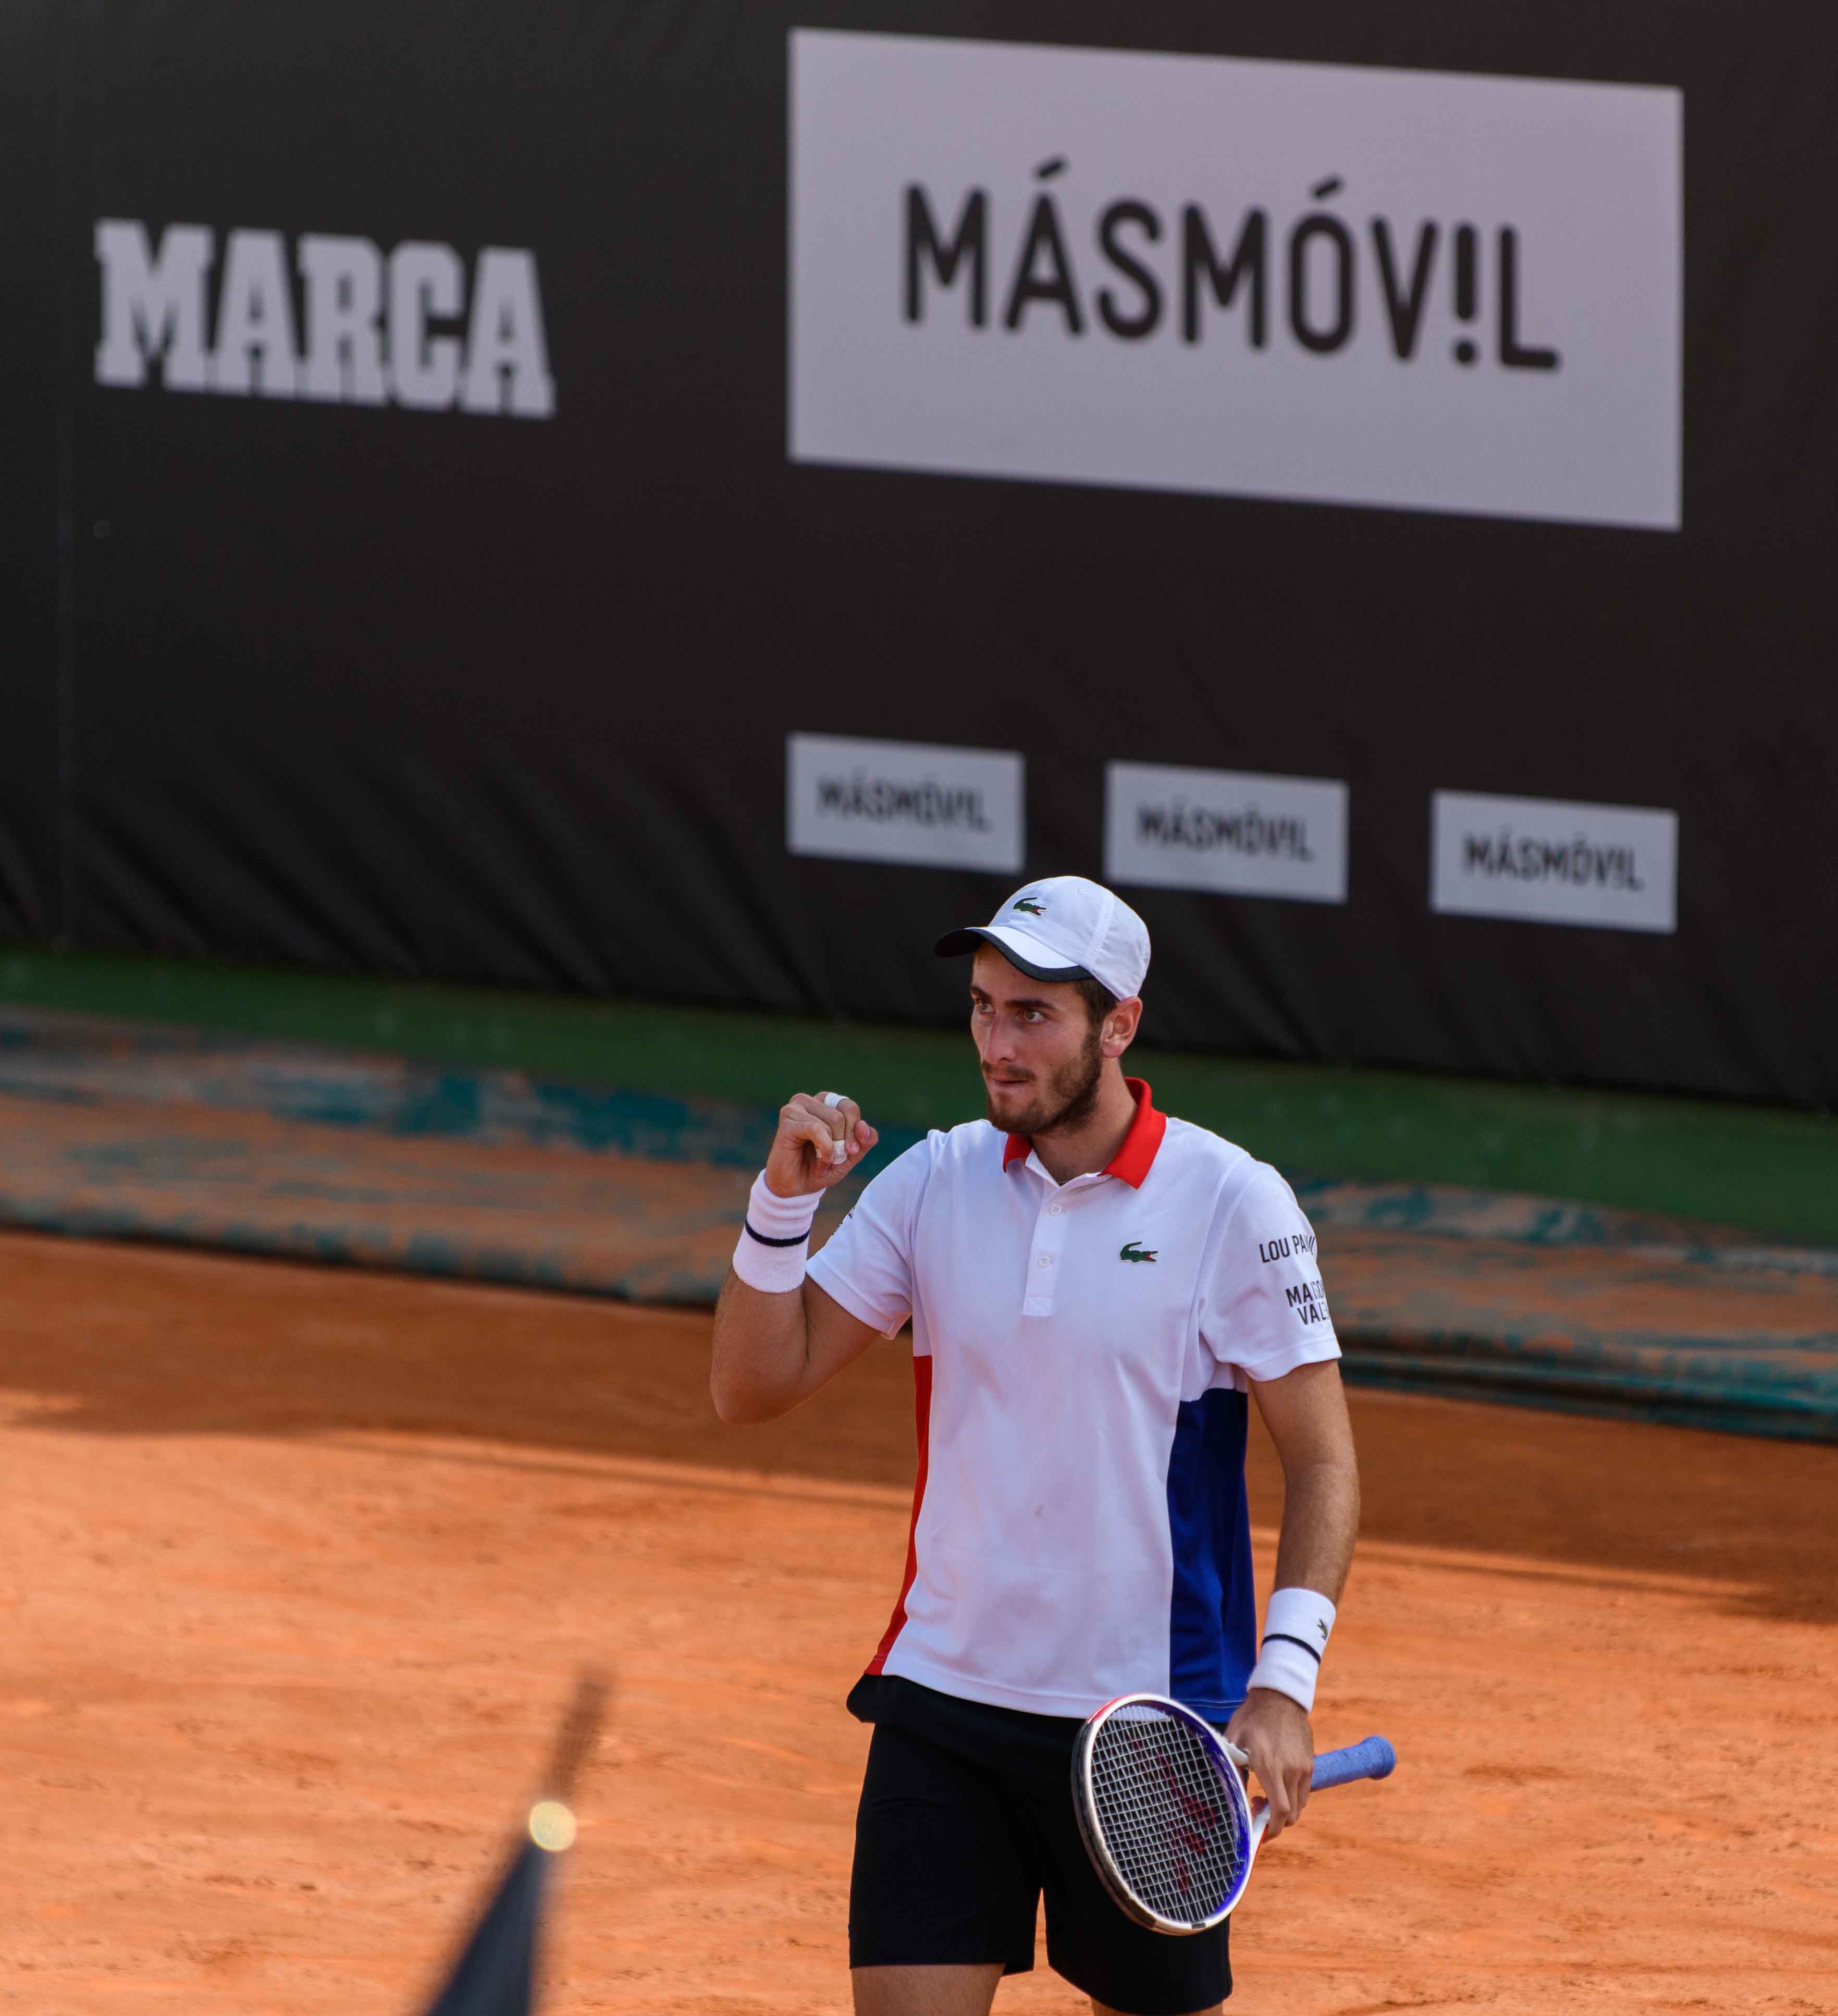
904,801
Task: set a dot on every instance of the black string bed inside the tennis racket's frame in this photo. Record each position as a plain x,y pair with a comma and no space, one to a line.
1172,1828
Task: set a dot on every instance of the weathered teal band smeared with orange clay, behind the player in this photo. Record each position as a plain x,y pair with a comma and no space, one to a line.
122,1128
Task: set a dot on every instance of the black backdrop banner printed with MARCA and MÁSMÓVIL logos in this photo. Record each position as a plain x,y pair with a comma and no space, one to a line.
1406,570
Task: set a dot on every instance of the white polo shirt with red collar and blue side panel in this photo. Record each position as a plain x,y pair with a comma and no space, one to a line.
1081,1358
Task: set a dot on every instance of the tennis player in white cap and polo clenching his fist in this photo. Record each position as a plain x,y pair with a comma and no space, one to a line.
1095,1291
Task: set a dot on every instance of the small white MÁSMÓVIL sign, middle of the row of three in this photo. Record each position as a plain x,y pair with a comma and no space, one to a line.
1234,832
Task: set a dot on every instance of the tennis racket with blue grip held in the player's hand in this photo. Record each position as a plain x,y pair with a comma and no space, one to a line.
1166,1815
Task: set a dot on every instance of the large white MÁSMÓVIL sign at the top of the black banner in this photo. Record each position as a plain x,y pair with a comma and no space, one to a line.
1263,279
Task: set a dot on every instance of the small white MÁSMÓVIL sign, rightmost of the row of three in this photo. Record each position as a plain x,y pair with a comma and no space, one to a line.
1553,862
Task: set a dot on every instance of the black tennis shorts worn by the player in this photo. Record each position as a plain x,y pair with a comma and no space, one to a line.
966,1819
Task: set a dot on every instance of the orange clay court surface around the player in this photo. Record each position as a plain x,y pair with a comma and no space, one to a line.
299,1563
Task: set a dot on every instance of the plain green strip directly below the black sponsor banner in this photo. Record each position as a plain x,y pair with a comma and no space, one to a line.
1770,1170
